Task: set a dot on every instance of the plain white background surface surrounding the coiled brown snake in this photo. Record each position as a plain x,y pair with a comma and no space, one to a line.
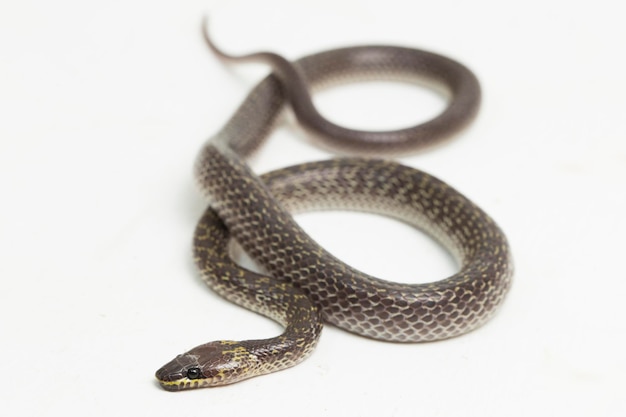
103,108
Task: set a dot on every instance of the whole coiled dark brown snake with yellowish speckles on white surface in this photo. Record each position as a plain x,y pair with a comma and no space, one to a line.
301,285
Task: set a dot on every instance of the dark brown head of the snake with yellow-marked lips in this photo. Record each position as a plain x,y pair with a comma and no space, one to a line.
208,365
